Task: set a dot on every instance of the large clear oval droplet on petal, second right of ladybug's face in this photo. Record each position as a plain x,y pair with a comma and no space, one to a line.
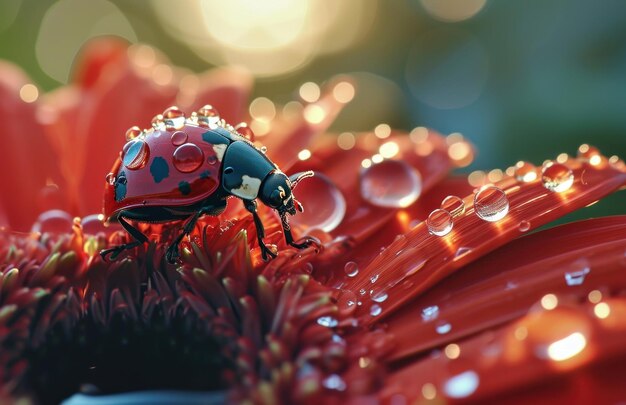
391,183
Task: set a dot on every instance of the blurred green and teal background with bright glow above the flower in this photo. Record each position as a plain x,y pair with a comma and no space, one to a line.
521,80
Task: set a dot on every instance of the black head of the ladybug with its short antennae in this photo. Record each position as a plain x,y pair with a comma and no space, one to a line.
276,192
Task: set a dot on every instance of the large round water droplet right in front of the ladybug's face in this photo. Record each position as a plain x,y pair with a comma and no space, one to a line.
324,204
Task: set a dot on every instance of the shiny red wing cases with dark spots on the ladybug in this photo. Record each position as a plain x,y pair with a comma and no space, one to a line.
166,168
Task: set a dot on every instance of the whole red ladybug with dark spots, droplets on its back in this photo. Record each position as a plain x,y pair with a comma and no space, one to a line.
186,167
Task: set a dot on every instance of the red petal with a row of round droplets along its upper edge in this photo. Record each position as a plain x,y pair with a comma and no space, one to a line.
422,259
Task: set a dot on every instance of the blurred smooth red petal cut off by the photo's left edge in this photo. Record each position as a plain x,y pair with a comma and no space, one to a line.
28,161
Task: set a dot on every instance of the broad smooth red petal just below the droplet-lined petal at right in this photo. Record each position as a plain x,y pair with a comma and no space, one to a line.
570,260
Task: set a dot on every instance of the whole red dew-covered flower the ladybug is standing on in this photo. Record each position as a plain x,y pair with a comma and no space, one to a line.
411,295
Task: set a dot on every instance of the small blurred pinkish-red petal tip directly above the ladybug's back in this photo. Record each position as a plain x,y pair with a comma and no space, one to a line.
227,89
